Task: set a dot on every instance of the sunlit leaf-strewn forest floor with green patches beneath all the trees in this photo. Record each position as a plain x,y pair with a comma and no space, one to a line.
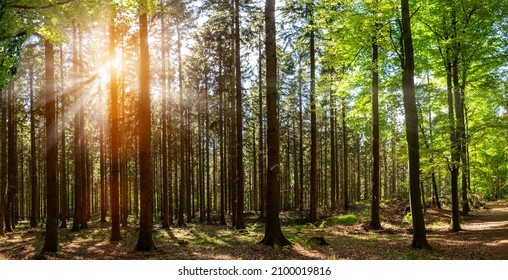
484,236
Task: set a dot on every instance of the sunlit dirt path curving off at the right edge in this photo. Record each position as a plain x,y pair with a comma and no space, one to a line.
492,225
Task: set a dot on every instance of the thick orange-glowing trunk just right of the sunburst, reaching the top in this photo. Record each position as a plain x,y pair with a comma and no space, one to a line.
145,241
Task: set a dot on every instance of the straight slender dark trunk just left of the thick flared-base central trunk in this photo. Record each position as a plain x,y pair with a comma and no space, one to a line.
240,224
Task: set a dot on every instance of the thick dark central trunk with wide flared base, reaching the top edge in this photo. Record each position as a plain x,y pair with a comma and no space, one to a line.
273,233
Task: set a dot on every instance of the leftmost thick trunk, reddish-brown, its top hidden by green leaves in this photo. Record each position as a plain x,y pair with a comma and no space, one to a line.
51,238
